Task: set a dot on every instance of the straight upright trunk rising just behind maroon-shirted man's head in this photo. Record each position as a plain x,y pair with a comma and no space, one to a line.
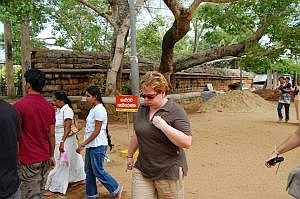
25,48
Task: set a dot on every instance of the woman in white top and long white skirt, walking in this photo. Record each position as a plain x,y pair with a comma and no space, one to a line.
60,177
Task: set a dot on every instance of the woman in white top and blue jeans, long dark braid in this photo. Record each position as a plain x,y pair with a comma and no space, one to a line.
96,141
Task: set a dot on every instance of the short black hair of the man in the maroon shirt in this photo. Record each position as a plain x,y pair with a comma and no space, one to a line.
35,78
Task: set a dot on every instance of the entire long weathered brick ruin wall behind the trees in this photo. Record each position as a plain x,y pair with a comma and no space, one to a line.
72,71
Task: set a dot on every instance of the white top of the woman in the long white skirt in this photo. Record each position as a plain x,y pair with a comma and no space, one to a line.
61,115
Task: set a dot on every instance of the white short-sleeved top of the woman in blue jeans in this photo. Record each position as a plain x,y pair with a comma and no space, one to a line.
96,113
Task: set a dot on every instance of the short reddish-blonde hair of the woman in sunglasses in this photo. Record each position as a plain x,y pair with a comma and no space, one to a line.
156,81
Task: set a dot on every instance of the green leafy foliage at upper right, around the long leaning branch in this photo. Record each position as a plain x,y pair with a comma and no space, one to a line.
231,23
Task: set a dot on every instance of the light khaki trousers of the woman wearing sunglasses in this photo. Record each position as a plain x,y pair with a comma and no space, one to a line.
143,188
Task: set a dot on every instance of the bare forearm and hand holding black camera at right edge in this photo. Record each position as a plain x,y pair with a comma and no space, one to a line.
290,143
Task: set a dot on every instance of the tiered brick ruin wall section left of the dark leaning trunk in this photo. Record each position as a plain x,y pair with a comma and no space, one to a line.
72,71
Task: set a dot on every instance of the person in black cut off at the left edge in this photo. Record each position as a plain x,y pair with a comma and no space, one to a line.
9,136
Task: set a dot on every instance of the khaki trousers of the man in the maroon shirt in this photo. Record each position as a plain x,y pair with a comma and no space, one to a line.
32,179
